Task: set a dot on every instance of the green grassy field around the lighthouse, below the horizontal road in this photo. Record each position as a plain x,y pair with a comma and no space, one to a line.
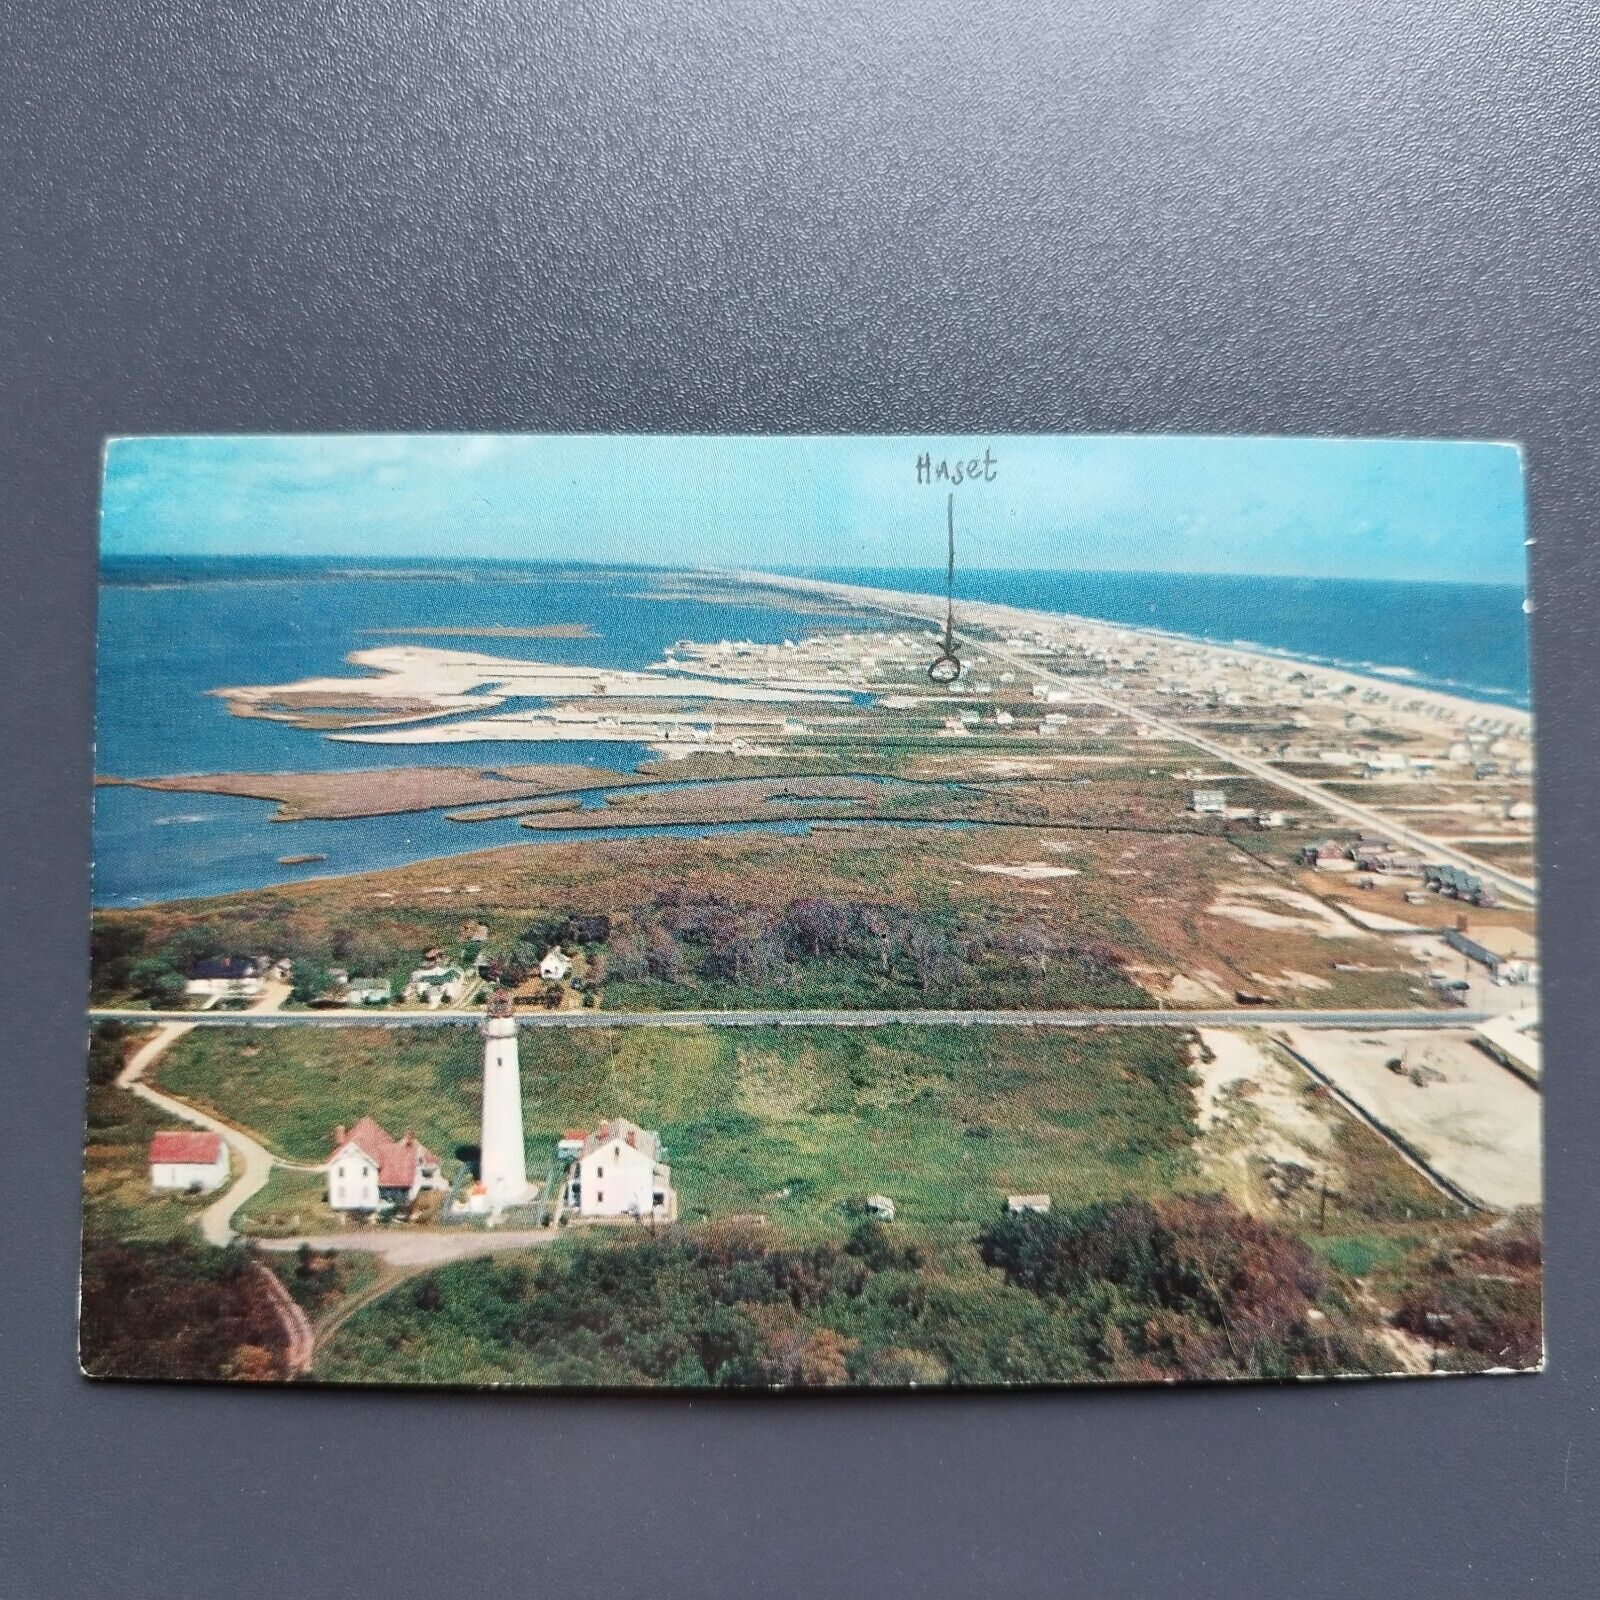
786,1122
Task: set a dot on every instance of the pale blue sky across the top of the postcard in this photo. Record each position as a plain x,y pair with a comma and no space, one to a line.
1169,503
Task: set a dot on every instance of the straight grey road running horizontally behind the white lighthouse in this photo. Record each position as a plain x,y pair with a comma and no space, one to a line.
1239,1017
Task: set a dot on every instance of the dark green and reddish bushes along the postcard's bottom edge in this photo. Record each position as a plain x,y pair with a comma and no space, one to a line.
1190,1290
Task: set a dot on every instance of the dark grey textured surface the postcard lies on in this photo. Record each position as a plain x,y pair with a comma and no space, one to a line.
1266,217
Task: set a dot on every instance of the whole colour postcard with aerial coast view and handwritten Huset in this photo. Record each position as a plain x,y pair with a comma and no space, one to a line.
812,913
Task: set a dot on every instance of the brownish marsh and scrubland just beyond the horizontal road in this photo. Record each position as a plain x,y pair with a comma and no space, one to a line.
839,918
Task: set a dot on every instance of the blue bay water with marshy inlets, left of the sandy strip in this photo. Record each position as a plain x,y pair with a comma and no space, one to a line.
170,633
